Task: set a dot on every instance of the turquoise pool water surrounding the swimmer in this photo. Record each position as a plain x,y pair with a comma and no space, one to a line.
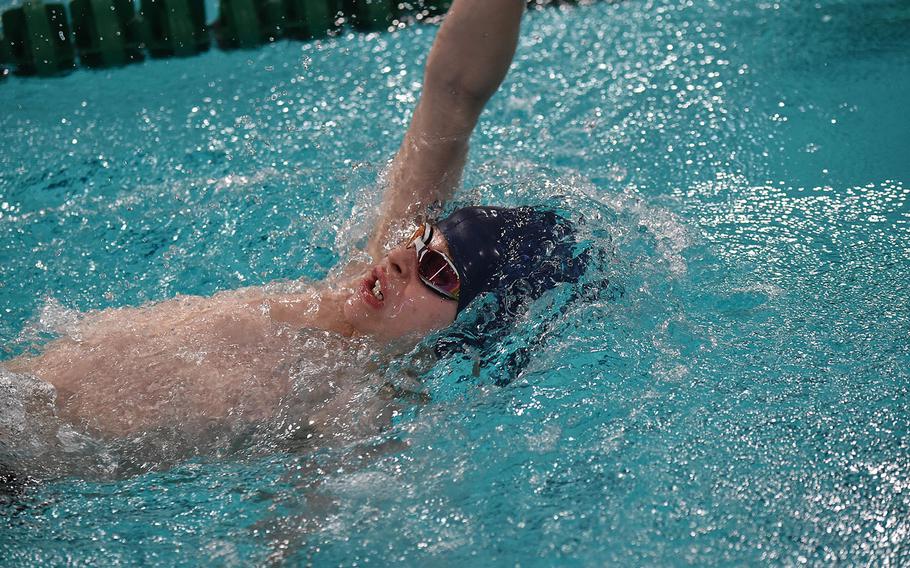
744,401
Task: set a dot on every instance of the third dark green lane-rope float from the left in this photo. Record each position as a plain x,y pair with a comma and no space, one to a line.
174,27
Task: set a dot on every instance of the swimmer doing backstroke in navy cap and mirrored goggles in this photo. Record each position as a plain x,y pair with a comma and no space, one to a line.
193,360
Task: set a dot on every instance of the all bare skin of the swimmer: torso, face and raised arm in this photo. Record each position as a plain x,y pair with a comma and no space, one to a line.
191,360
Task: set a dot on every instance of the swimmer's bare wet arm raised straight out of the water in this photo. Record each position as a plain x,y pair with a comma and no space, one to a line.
466,65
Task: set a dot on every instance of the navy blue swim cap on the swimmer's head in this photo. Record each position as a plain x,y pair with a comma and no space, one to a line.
497,249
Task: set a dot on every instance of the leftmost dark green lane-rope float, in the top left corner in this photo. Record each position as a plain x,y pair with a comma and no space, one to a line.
38,39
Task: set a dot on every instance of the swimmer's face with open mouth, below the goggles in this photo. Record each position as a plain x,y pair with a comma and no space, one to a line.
408,307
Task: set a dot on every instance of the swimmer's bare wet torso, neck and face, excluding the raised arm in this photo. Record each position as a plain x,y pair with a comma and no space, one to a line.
195,360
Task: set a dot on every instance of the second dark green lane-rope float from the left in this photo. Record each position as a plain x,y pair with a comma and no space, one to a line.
106,32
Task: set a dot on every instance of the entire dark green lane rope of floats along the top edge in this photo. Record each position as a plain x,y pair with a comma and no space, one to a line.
109,32
